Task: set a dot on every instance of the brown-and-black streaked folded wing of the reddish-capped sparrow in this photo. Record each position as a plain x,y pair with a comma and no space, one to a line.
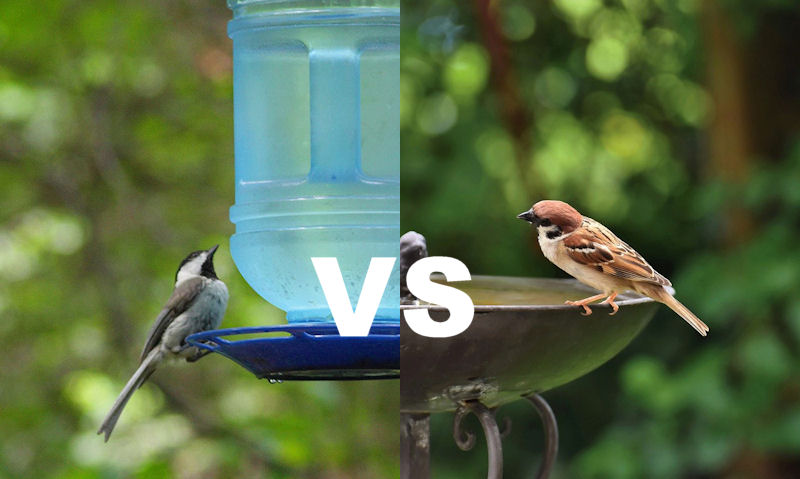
595,245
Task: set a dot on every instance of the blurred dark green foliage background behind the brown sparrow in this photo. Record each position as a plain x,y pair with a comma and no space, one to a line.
677,125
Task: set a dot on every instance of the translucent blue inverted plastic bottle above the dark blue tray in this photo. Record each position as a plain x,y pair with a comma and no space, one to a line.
316,120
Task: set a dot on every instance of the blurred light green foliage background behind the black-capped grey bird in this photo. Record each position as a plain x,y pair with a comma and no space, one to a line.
116,160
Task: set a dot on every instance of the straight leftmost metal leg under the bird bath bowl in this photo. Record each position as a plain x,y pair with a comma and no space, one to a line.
415,445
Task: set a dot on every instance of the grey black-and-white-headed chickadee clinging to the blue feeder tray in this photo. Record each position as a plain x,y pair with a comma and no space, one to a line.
197,304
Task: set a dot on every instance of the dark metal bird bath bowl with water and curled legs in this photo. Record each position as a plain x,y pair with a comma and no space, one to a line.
523,341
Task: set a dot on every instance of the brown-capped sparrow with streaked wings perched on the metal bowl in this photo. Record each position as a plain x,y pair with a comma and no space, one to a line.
592,254
